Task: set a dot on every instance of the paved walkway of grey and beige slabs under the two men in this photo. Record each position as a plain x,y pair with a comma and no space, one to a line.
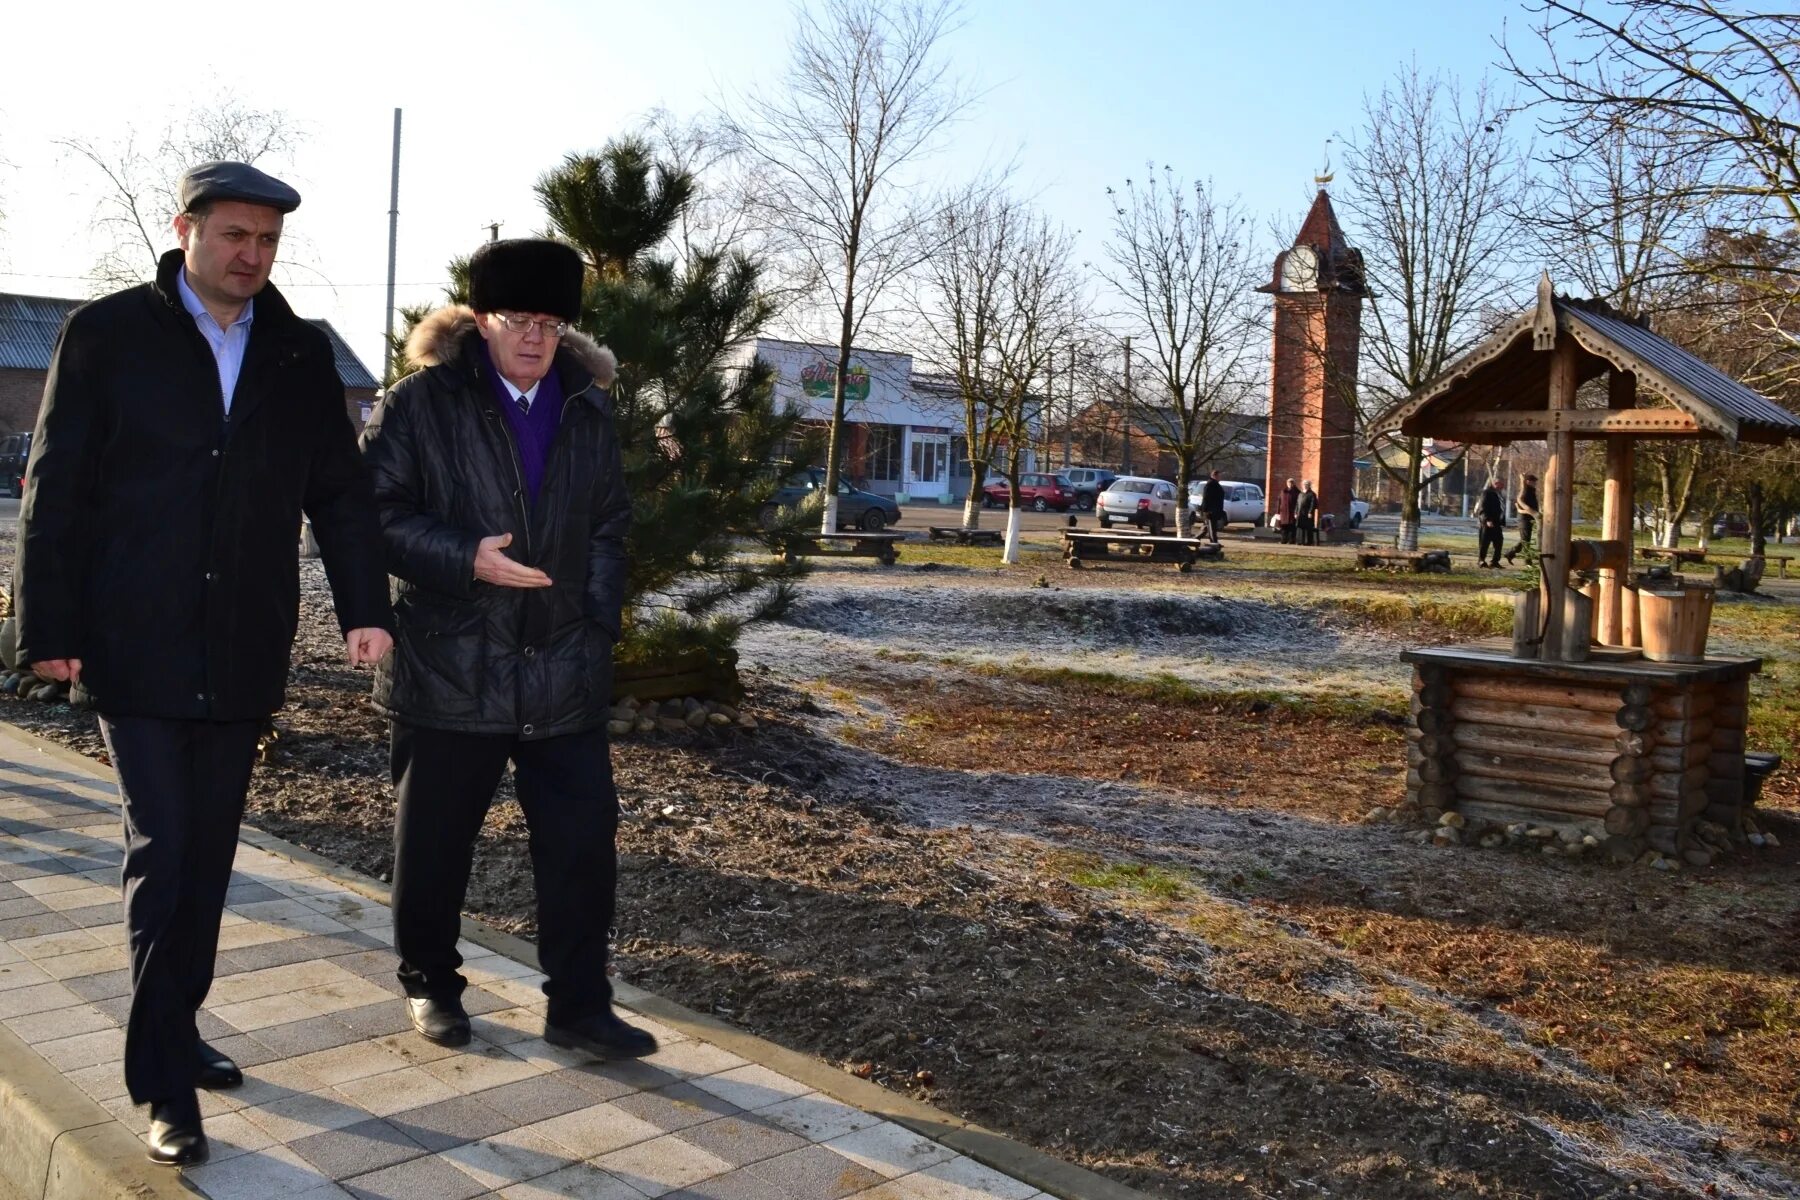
345,1100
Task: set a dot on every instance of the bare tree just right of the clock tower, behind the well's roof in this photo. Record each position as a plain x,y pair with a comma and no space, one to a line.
1434,183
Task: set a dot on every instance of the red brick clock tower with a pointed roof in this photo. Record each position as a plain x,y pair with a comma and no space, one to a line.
1318,327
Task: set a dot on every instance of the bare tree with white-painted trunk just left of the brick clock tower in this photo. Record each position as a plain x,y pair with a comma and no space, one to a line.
1185,265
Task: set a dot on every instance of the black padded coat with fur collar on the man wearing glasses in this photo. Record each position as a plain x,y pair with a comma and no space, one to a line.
476,658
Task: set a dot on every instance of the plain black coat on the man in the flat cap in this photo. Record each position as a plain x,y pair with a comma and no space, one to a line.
159,541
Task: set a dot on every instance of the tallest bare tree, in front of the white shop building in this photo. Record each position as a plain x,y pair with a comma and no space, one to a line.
867,98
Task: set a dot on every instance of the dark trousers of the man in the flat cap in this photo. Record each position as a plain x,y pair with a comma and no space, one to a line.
183,785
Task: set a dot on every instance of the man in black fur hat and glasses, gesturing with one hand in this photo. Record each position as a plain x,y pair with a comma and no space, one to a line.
503,503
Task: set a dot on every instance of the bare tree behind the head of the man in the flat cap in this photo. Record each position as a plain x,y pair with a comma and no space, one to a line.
139,174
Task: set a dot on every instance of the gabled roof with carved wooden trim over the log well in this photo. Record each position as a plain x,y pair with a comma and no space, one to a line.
1511,373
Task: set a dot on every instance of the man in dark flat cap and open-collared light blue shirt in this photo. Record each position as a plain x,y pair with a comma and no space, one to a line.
186,427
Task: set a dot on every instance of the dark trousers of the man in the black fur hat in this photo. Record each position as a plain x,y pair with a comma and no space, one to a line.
445,784
